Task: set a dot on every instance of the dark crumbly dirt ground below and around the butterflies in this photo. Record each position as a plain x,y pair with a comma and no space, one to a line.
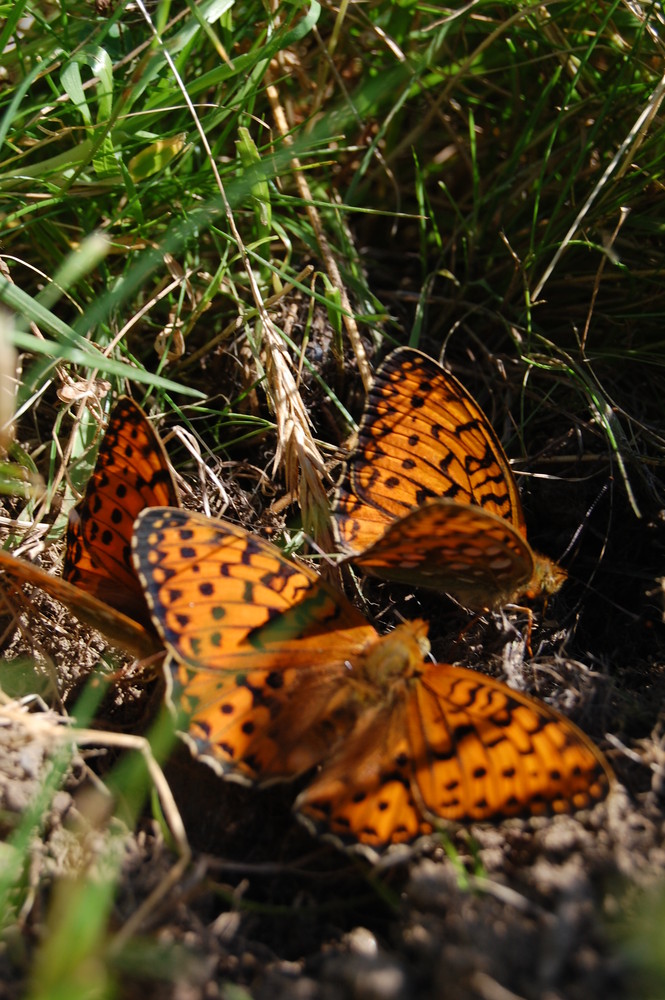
547,909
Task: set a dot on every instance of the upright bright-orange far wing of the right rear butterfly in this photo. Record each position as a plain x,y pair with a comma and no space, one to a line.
422,436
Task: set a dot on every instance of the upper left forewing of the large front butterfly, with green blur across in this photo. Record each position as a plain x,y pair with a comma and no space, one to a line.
223,598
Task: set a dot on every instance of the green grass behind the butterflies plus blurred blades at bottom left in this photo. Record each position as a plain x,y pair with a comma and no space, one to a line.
231,207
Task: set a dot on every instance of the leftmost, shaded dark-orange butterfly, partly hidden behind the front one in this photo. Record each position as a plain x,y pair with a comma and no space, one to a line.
99,583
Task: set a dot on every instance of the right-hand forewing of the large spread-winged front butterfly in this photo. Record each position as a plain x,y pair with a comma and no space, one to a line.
492,752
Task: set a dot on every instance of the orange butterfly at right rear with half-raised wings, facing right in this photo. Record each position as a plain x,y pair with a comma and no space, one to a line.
428,497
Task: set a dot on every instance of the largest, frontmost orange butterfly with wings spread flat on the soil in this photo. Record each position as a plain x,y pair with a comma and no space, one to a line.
276,674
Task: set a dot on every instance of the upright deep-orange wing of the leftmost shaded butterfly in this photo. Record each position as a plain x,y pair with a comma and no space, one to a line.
131,473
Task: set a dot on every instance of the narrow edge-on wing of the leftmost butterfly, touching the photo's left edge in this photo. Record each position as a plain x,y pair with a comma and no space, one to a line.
118,628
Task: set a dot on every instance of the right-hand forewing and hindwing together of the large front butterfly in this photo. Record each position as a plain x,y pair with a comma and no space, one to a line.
454,745
